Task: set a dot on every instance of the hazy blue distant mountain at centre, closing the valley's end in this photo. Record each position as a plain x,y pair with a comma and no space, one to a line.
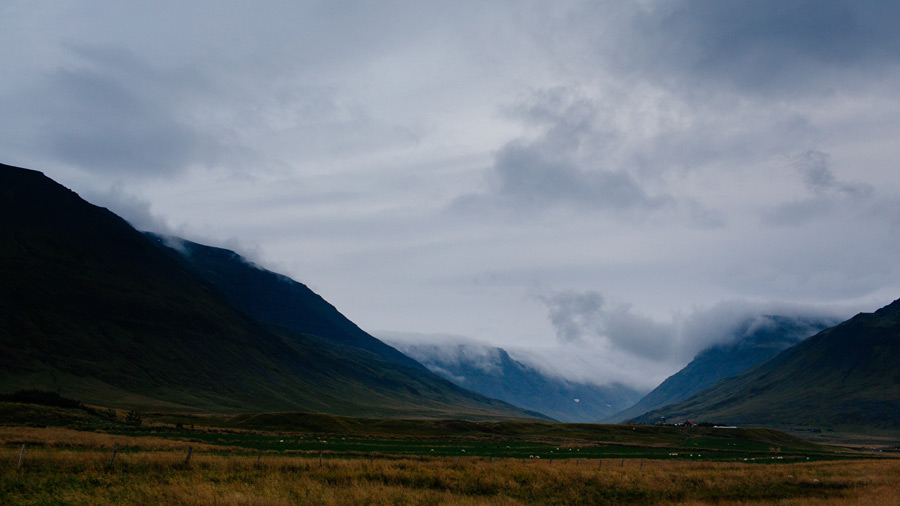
492,372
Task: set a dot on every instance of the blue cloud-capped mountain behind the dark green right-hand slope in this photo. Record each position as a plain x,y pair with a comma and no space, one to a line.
752,342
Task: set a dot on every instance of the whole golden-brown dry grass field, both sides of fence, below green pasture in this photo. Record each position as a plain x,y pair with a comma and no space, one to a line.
65,466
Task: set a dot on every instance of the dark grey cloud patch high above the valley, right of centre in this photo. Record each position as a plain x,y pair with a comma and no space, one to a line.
570,164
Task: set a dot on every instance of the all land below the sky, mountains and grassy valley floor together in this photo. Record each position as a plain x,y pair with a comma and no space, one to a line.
186,367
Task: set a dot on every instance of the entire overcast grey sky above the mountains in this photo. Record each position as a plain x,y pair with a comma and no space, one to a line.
603,184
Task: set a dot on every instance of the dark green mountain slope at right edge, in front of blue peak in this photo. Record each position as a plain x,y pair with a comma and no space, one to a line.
843,378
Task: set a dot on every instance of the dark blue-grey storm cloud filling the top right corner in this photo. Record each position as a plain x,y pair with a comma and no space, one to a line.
771,45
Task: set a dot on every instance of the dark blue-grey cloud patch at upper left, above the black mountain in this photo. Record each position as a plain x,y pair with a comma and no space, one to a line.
110,113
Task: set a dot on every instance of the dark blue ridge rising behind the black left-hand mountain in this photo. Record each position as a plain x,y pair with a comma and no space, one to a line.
275,299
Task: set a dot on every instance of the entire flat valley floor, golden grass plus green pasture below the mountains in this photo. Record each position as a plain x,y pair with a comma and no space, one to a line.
433,462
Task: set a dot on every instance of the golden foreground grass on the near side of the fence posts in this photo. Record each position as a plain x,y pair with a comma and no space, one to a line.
50,476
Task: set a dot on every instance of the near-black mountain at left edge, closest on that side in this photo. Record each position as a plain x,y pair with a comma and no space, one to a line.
95,310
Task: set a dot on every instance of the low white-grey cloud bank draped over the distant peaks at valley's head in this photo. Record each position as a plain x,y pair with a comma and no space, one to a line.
601,344
